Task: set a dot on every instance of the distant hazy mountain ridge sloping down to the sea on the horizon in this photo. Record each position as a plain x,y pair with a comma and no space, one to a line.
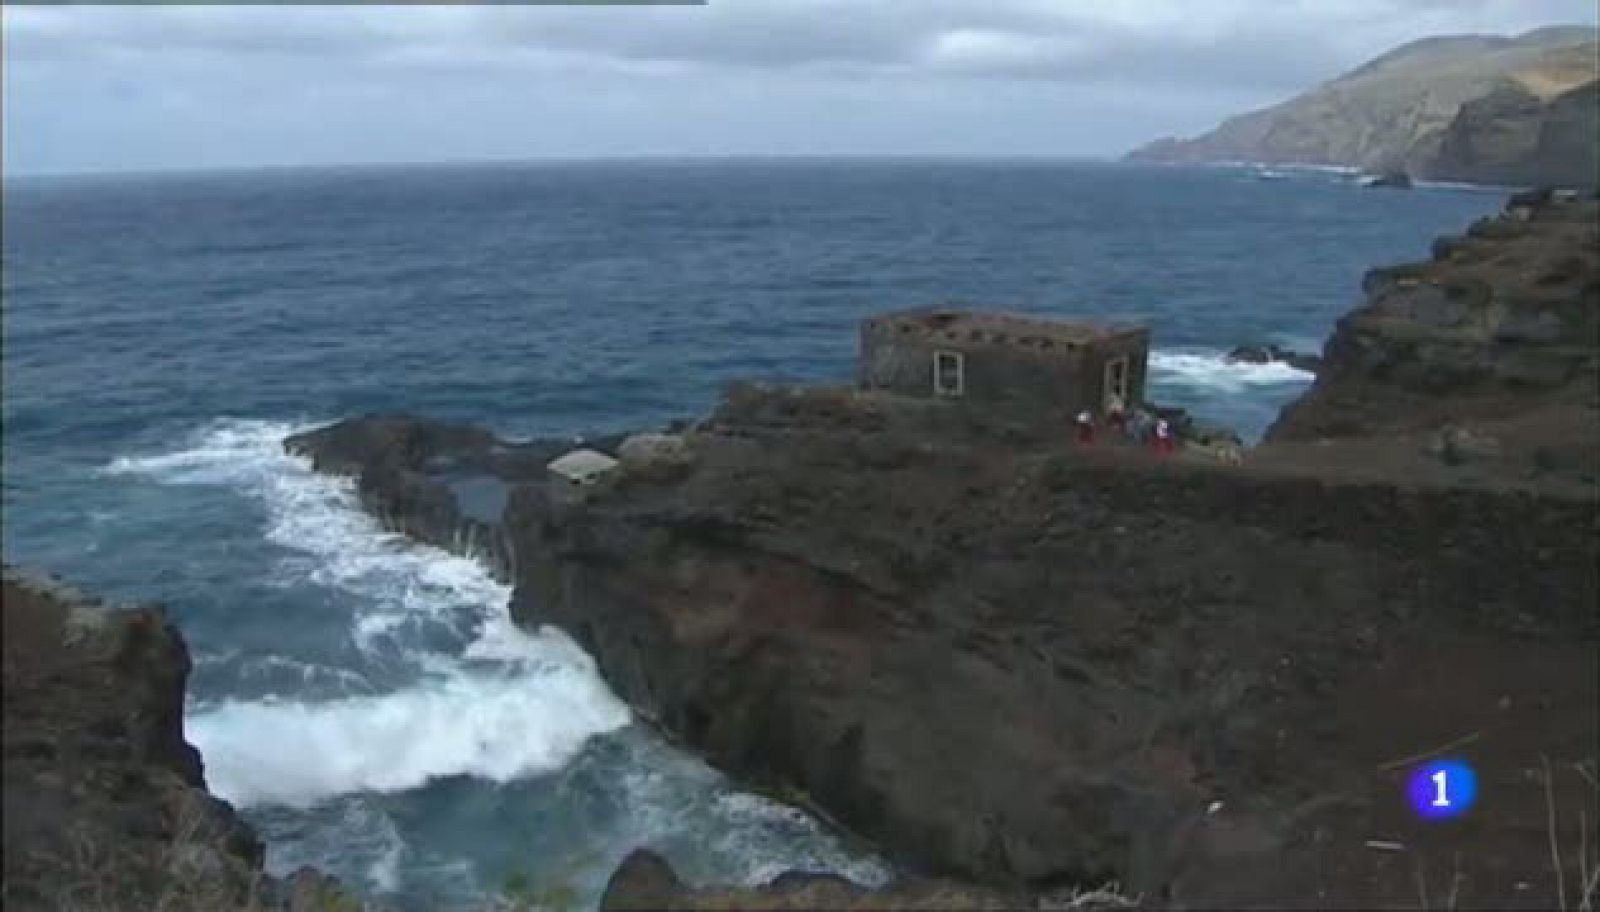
1452,108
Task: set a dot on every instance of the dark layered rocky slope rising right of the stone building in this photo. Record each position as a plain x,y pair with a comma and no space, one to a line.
1498,330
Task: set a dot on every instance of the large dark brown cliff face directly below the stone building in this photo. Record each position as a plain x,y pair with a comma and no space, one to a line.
1041,670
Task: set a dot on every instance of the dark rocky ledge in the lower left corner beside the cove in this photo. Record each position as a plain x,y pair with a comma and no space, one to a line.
105,802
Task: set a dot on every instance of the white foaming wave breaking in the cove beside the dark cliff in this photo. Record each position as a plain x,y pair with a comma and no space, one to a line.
498,703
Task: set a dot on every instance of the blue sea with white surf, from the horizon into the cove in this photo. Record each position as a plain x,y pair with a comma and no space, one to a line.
367,702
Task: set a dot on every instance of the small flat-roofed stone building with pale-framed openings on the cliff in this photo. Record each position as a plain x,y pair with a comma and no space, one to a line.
1006,362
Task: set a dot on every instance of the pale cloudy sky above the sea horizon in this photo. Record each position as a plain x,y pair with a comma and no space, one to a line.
134,89
